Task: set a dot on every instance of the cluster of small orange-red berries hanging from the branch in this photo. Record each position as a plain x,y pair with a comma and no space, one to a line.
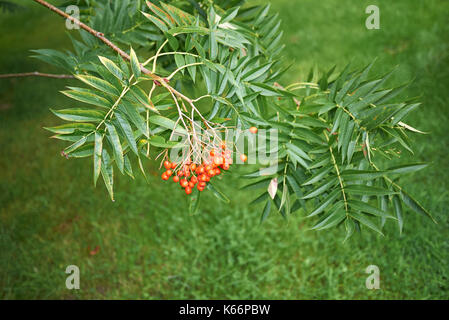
191,174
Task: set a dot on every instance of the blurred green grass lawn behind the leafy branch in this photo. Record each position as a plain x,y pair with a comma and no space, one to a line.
149,247
